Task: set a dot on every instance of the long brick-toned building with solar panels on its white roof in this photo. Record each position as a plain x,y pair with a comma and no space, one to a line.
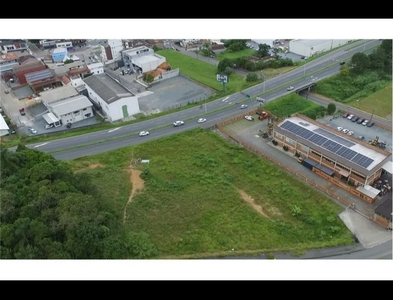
336,156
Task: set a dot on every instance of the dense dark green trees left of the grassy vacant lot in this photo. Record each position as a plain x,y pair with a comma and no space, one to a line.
48,212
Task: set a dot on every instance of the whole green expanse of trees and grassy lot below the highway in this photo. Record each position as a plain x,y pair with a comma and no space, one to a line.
191,205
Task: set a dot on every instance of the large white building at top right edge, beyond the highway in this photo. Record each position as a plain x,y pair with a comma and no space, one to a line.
314,47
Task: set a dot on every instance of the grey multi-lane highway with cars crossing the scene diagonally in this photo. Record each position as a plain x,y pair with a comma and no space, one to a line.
218,110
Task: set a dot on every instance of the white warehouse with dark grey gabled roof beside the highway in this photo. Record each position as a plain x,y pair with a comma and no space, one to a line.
111,98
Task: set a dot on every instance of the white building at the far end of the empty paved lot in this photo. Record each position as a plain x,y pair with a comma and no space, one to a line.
142,59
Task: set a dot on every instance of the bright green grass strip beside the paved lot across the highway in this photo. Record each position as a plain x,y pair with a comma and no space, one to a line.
202,72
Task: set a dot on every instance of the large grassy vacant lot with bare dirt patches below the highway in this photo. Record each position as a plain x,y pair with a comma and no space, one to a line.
204,196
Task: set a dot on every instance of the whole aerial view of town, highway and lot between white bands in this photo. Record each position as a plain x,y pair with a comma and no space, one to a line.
196,148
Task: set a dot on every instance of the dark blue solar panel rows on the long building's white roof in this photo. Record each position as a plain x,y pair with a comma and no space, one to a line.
336,146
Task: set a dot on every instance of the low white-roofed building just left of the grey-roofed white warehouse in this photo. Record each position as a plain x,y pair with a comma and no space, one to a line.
71,110
